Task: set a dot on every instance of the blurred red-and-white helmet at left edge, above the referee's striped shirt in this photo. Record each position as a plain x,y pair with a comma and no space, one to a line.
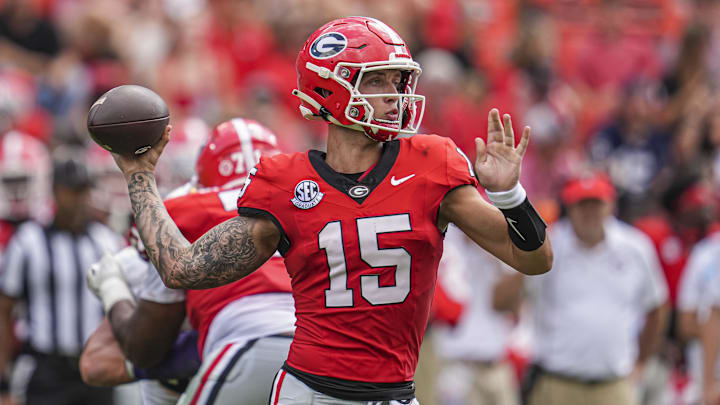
24,175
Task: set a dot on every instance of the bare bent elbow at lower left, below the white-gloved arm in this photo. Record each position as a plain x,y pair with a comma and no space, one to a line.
102,363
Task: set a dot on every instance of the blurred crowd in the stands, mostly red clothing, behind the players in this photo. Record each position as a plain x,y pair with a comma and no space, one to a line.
626,86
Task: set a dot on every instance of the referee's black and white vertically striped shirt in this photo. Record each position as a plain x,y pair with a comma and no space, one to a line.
45,267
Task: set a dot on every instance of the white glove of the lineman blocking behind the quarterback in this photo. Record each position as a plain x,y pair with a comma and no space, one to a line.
106,280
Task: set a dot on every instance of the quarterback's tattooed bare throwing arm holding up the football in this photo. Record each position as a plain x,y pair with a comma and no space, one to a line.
227,252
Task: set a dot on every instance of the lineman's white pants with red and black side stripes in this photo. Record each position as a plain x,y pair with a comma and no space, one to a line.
238,374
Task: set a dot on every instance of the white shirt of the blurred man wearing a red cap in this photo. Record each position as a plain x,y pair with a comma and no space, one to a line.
588,309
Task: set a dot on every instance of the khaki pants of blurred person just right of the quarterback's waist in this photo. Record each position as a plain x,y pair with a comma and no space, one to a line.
471,383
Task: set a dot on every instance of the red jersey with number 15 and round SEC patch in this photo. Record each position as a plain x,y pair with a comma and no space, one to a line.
362,255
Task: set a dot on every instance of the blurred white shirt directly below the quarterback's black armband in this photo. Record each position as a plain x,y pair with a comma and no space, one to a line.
468,274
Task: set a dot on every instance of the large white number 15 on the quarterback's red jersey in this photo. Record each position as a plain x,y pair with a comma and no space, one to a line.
330,239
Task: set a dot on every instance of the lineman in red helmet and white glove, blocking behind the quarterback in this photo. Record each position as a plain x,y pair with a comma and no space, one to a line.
244,328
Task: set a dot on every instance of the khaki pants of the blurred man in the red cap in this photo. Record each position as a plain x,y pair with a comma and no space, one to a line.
550,390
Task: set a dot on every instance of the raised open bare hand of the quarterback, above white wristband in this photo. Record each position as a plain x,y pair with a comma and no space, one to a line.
498,163
